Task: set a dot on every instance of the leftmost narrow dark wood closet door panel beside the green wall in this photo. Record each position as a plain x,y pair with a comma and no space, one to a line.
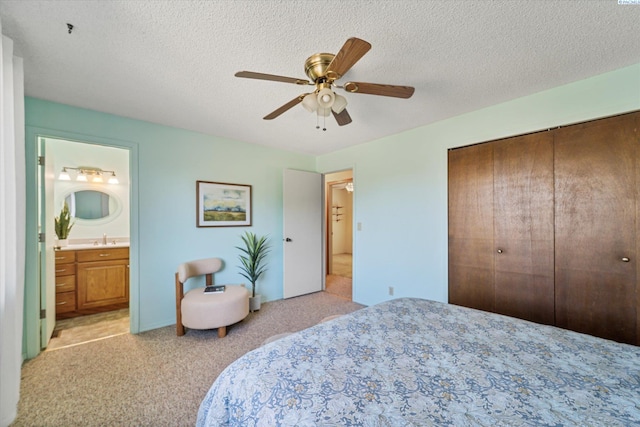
471,248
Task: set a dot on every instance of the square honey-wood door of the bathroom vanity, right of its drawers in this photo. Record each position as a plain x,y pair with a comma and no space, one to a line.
102,283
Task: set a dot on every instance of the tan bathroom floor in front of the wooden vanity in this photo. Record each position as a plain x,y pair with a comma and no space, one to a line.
79,330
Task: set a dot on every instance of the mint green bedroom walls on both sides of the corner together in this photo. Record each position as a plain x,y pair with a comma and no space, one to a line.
400,197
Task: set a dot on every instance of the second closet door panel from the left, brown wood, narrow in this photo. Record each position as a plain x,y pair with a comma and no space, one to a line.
523,227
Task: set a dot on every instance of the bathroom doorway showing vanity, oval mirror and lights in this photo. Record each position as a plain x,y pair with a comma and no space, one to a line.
105,227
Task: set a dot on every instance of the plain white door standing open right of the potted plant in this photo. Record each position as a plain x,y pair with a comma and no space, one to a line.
302,199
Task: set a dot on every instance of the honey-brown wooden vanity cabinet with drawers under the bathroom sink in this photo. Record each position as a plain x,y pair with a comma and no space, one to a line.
91,281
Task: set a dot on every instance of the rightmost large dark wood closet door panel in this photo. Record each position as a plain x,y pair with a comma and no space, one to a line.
596,168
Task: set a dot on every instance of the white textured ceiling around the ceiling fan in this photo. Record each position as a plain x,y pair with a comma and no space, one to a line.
173,62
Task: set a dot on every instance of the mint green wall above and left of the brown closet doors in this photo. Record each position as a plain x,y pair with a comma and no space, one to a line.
400,195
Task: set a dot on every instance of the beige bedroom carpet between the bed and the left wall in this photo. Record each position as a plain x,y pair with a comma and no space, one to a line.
153,378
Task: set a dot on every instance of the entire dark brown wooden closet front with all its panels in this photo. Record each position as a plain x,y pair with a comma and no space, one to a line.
543,227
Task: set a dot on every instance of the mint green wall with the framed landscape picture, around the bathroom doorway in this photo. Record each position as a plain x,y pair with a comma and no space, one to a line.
165,164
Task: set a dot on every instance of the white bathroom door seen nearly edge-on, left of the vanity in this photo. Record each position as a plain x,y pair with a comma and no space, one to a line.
46,210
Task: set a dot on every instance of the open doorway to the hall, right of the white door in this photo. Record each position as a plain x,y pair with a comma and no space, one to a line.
339,226
